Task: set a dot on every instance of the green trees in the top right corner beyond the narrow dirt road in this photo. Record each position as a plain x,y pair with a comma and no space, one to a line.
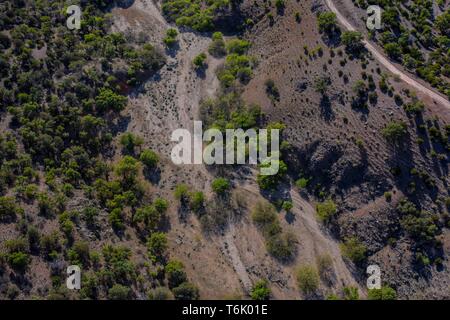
414,35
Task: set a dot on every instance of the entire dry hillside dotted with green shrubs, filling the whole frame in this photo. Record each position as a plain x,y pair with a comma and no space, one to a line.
85,150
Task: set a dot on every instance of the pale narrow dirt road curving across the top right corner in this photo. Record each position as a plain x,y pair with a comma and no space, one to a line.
387,64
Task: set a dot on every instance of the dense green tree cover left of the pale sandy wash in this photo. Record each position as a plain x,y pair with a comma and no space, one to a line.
58,143
